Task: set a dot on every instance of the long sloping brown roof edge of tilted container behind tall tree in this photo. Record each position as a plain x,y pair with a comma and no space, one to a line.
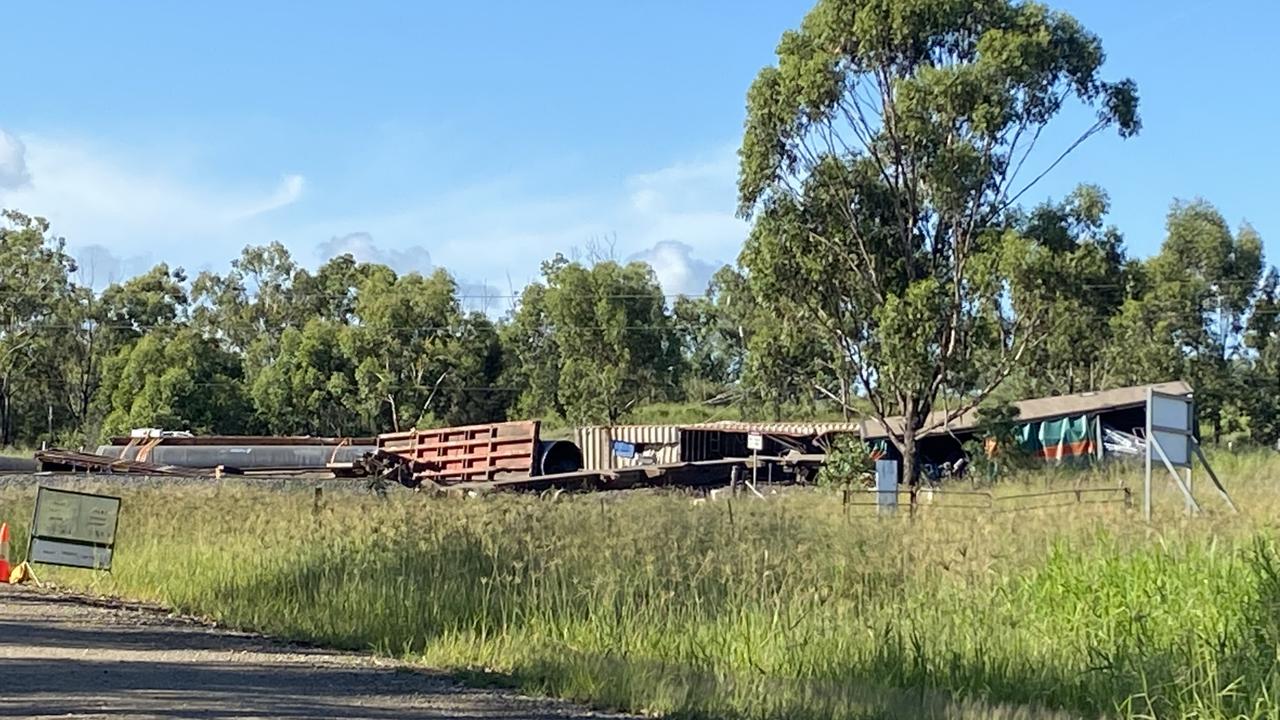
1040,409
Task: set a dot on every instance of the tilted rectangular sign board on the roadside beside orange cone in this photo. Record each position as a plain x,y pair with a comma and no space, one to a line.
76,530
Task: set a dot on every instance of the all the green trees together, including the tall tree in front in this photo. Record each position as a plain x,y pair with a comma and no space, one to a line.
893,268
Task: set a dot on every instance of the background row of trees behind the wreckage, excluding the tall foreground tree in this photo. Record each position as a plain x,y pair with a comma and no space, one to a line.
354,349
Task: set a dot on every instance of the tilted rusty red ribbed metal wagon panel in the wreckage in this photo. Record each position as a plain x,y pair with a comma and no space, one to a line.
467,454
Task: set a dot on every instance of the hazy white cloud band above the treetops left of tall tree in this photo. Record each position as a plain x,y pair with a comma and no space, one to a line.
682,217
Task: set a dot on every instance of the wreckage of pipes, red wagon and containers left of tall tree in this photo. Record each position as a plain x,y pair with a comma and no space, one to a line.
496,457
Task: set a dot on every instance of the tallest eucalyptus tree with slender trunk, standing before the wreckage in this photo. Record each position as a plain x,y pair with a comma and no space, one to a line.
880,162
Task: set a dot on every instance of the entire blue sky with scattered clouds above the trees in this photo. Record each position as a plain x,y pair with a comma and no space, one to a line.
488,136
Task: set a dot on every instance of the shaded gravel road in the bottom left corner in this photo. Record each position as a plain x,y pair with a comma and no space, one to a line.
68,657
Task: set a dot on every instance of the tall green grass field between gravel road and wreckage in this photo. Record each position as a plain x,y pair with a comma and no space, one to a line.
789,608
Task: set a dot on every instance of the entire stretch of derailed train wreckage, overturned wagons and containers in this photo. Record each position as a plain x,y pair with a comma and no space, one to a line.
514,455
